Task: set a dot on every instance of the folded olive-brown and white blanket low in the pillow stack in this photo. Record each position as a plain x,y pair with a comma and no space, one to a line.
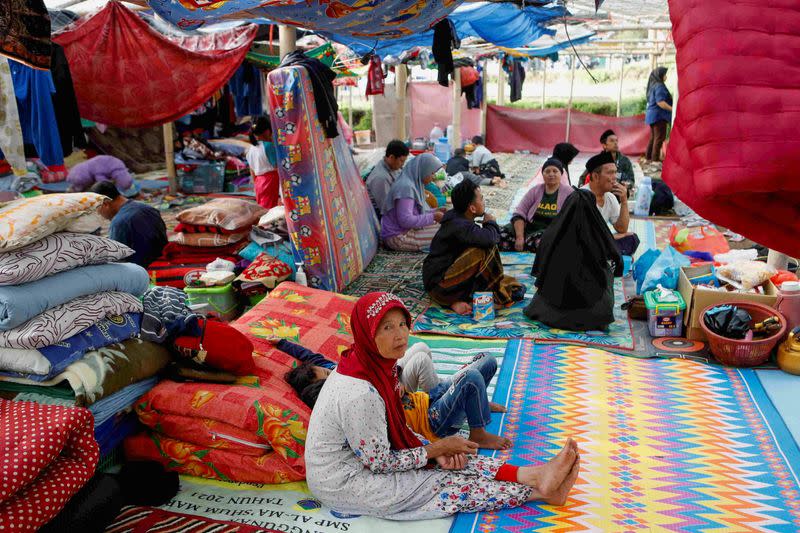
101,373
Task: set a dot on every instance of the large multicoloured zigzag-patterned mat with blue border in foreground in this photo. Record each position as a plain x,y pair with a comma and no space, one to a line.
666,445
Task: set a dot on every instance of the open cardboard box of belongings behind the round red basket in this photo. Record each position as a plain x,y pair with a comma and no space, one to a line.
697,298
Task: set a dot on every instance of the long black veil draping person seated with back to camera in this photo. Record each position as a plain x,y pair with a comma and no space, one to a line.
574,254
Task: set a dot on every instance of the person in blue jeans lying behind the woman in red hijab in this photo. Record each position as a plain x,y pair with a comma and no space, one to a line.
437,411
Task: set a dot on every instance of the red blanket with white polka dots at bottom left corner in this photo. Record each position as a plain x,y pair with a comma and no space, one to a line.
57,448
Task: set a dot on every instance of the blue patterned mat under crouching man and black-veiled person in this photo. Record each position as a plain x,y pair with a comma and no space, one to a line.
511,323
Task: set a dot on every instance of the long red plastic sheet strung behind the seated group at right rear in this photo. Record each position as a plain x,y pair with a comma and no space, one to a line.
538,130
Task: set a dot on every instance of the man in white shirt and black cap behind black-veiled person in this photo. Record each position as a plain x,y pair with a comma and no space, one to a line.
612,200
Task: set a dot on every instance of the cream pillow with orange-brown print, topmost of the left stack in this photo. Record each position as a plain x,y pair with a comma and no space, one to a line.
28,220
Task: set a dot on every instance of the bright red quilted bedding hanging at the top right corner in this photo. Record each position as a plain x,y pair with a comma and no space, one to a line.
734,152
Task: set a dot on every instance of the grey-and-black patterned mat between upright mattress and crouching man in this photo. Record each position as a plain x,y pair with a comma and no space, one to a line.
396,272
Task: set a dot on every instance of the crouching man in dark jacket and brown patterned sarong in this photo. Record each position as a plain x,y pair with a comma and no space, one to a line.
464,257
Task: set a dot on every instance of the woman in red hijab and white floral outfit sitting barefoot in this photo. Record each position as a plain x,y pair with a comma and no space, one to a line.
361,457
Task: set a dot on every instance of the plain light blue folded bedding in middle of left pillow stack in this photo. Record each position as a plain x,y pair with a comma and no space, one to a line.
20,303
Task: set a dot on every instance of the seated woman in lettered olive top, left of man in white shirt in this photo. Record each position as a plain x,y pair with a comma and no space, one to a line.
538,208
